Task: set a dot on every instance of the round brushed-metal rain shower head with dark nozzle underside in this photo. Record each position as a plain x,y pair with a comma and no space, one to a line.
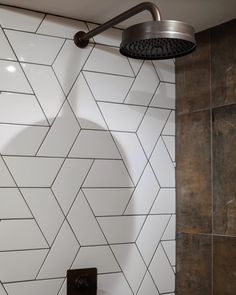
158,40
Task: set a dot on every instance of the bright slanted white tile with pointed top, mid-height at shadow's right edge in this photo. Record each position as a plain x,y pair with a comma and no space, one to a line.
148,187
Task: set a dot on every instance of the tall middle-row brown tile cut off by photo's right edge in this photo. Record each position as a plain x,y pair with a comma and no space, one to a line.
224,167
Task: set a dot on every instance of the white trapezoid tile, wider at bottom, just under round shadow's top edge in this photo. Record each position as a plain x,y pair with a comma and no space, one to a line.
95,144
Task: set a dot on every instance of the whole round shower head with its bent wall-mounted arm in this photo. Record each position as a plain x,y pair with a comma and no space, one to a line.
157,39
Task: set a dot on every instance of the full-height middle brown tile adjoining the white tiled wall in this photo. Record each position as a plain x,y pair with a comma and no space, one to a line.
193,173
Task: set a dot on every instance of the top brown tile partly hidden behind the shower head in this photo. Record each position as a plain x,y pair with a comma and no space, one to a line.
193,77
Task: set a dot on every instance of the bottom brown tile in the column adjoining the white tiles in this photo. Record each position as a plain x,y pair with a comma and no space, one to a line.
194,264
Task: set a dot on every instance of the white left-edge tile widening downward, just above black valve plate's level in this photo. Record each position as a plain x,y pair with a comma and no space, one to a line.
20,234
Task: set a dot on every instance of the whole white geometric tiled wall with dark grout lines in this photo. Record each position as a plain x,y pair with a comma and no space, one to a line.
87,161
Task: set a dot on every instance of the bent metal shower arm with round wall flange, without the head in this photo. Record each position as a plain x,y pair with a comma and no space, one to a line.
81,39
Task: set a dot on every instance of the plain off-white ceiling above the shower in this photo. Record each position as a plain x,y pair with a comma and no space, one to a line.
201,14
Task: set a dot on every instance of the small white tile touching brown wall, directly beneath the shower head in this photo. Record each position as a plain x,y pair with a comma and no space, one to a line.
165,69
